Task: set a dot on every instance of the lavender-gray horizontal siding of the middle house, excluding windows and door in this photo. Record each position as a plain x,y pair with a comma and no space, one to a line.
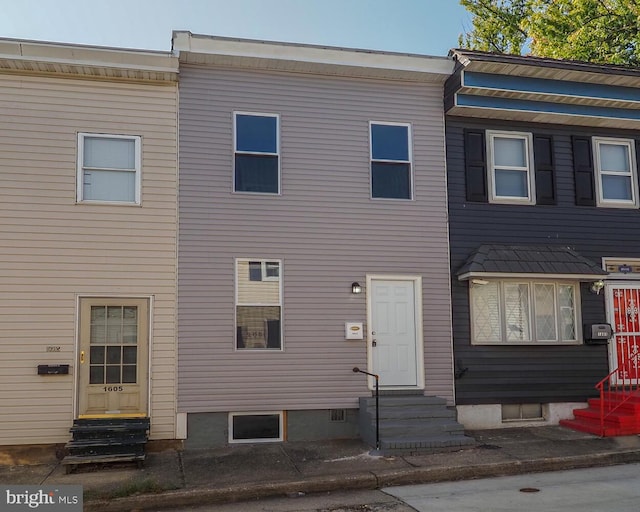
324,227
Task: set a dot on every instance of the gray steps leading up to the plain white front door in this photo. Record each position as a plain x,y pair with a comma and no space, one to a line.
411,424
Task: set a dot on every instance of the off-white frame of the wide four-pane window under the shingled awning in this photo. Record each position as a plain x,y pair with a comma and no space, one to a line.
531,283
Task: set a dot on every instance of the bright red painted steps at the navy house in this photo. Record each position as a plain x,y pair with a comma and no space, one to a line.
622,420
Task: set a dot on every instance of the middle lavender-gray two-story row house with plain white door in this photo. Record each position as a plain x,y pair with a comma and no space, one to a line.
307,174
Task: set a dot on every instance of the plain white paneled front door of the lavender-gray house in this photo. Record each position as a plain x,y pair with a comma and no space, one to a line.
393,331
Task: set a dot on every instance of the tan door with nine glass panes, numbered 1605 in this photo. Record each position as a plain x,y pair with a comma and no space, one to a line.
113,357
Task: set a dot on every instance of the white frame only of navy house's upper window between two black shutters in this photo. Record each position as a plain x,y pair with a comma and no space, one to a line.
529,168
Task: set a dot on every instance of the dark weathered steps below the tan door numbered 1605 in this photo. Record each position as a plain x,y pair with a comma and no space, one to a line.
107,440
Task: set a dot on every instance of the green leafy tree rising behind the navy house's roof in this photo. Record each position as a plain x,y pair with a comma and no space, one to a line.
601,31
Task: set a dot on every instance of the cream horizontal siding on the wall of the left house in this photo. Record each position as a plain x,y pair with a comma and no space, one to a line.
54,250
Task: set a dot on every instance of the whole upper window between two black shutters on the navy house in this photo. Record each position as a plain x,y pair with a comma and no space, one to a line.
510,167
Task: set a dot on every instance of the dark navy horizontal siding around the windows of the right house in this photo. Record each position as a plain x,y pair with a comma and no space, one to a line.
545,373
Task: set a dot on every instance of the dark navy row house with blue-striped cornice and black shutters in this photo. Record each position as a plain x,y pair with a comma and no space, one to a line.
544,226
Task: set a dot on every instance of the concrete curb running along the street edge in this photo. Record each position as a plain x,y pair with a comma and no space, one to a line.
356,481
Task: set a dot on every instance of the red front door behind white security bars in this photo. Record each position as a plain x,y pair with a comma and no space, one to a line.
623,313
